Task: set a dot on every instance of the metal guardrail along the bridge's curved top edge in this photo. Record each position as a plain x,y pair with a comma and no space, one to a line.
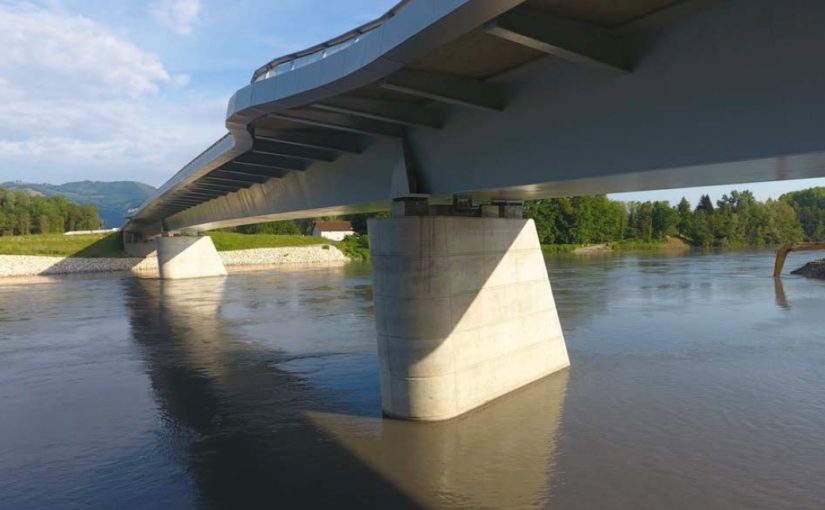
321,51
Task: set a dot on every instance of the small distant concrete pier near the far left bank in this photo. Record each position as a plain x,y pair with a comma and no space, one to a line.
188,257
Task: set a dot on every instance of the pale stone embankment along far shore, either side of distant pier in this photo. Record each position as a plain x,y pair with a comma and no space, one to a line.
26,265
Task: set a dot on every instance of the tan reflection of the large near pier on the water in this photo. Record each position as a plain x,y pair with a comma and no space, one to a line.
499,456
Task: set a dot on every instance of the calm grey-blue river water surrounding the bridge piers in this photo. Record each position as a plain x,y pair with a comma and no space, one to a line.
696,382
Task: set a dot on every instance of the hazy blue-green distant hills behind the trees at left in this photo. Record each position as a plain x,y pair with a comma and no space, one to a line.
111,198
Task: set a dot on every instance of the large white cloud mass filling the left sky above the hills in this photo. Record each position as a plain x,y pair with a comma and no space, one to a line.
78,101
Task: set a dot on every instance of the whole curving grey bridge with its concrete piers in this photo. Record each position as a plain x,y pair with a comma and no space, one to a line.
450,113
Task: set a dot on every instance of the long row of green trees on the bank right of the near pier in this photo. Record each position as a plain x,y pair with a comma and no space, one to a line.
737,219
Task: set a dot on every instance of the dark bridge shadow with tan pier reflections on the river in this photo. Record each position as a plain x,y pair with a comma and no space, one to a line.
252,434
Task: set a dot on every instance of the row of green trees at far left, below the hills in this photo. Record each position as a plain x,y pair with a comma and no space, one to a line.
21,213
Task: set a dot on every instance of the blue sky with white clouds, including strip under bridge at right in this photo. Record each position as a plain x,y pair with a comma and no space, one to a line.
114,90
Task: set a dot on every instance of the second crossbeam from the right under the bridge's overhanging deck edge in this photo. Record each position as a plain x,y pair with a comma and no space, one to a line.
447,89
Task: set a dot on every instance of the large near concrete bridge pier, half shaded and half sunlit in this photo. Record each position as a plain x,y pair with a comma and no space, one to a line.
464,312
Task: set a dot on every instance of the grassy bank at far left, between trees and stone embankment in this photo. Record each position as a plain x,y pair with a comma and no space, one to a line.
87,246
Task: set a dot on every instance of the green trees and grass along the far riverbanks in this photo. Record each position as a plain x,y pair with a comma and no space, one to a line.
32,225
